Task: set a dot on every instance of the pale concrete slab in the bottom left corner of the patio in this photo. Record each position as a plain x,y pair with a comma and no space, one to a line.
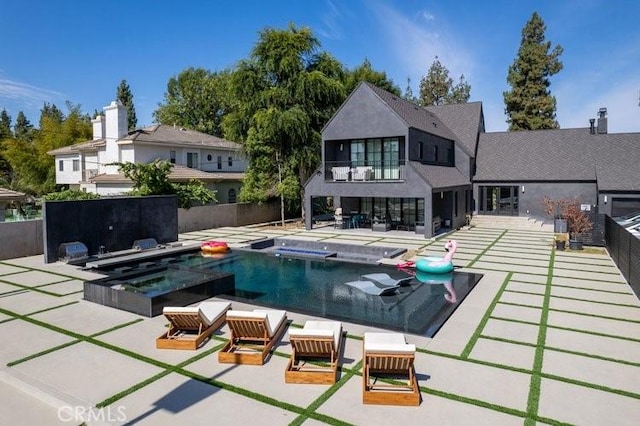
25,410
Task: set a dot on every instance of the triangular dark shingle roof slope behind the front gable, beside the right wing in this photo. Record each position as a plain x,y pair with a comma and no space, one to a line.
465,121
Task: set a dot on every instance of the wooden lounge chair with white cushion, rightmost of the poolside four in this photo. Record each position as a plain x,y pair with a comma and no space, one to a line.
388,371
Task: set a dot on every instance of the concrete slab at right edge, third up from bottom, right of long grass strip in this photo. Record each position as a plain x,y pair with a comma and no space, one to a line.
590,344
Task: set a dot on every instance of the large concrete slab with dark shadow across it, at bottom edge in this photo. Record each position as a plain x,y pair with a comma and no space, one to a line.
175,399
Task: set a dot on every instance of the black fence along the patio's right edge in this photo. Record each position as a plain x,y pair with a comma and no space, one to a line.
624,249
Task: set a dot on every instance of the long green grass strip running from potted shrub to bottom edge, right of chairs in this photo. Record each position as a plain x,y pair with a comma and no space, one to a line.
533,400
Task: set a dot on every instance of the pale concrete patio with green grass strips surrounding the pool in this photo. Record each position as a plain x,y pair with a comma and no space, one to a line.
545,337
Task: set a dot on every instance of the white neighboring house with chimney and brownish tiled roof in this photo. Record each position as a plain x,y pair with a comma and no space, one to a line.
218,163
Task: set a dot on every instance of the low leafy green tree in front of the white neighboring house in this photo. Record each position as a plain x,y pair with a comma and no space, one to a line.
153,179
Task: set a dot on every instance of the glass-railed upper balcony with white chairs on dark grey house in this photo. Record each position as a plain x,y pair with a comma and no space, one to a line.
368,171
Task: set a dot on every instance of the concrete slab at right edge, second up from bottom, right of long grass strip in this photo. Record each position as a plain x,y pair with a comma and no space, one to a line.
613,375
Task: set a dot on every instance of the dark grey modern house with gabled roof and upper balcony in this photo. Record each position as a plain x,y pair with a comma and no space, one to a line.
391,164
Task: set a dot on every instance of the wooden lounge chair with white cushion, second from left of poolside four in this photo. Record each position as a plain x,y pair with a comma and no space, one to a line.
253,335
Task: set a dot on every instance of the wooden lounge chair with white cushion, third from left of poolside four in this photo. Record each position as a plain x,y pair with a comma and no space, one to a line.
316,353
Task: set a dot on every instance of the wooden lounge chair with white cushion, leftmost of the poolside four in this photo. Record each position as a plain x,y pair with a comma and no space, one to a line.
190,326
